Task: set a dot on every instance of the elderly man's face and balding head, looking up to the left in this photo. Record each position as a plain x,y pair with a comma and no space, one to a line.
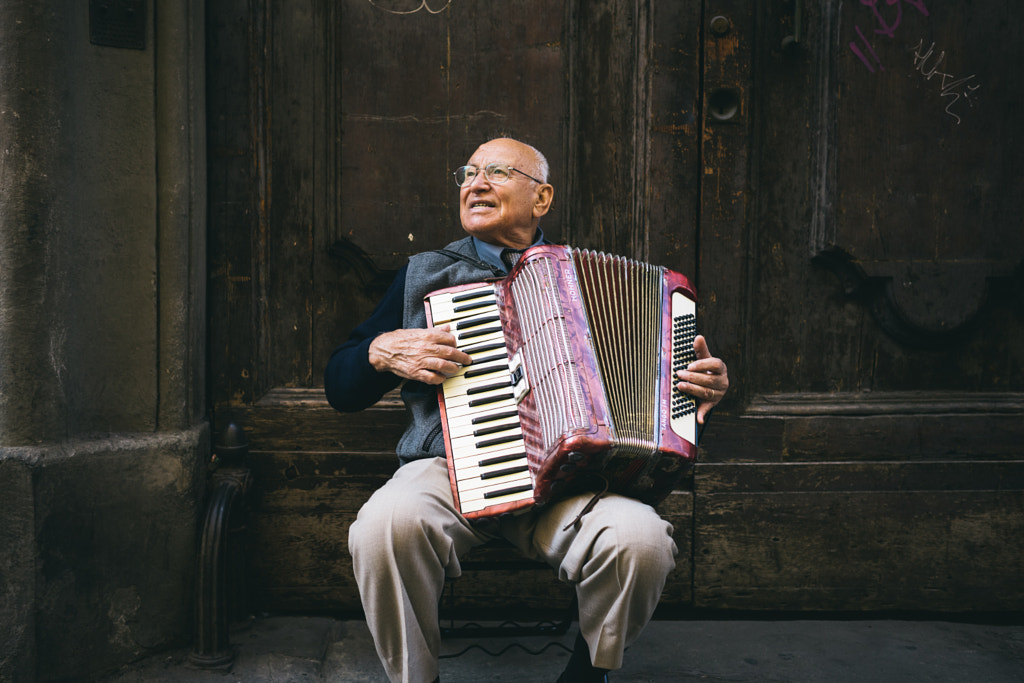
504,215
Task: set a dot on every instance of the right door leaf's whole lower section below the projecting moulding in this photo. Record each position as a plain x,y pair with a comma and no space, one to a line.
862,513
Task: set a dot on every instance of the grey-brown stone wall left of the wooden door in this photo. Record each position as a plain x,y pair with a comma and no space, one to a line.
104,433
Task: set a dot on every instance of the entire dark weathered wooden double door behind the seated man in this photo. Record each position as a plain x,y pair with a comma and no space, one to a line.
849,226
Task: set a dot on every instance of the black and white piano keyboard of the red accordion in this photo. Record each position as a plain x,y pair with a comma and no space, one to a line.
486,437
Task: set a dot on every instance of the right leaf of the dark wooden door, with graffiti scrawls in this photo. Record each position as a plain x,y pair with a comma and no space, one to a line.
862,246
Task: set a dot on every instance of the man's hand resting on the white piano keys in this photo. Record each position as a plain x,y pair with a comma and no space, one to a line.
424,356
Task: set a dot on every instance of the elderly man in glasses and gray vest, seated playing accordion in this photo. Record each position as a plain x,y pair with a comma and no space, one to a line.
409,537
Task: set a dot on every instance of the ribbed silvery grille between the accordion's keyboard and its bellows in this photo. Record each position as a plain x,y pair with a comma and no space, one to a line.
553,372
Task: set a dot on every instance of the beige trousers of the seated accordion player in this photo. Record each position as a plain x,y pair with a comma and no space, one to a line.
409,538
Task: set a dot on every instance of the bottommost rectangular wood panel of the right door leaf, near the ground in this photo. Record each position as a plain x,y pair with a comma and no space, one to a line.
861,537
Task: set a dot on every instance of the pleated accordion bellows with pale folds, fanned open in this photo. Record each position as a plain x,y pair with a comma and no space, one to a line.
623,302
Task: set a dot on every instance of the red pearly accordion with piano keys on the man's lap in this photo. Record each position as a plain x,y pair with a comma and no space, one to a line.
573,381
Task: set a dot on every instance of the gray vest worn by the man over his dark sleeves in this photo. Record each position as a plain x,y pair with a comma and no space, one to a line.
430,272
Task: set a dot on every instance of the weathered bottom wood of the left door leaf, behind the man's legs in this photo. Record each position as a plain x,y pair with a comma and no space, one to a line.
314,469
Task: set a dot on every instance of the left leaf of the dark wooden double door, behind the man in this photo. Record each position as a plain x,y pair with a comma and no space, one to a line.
334,130
